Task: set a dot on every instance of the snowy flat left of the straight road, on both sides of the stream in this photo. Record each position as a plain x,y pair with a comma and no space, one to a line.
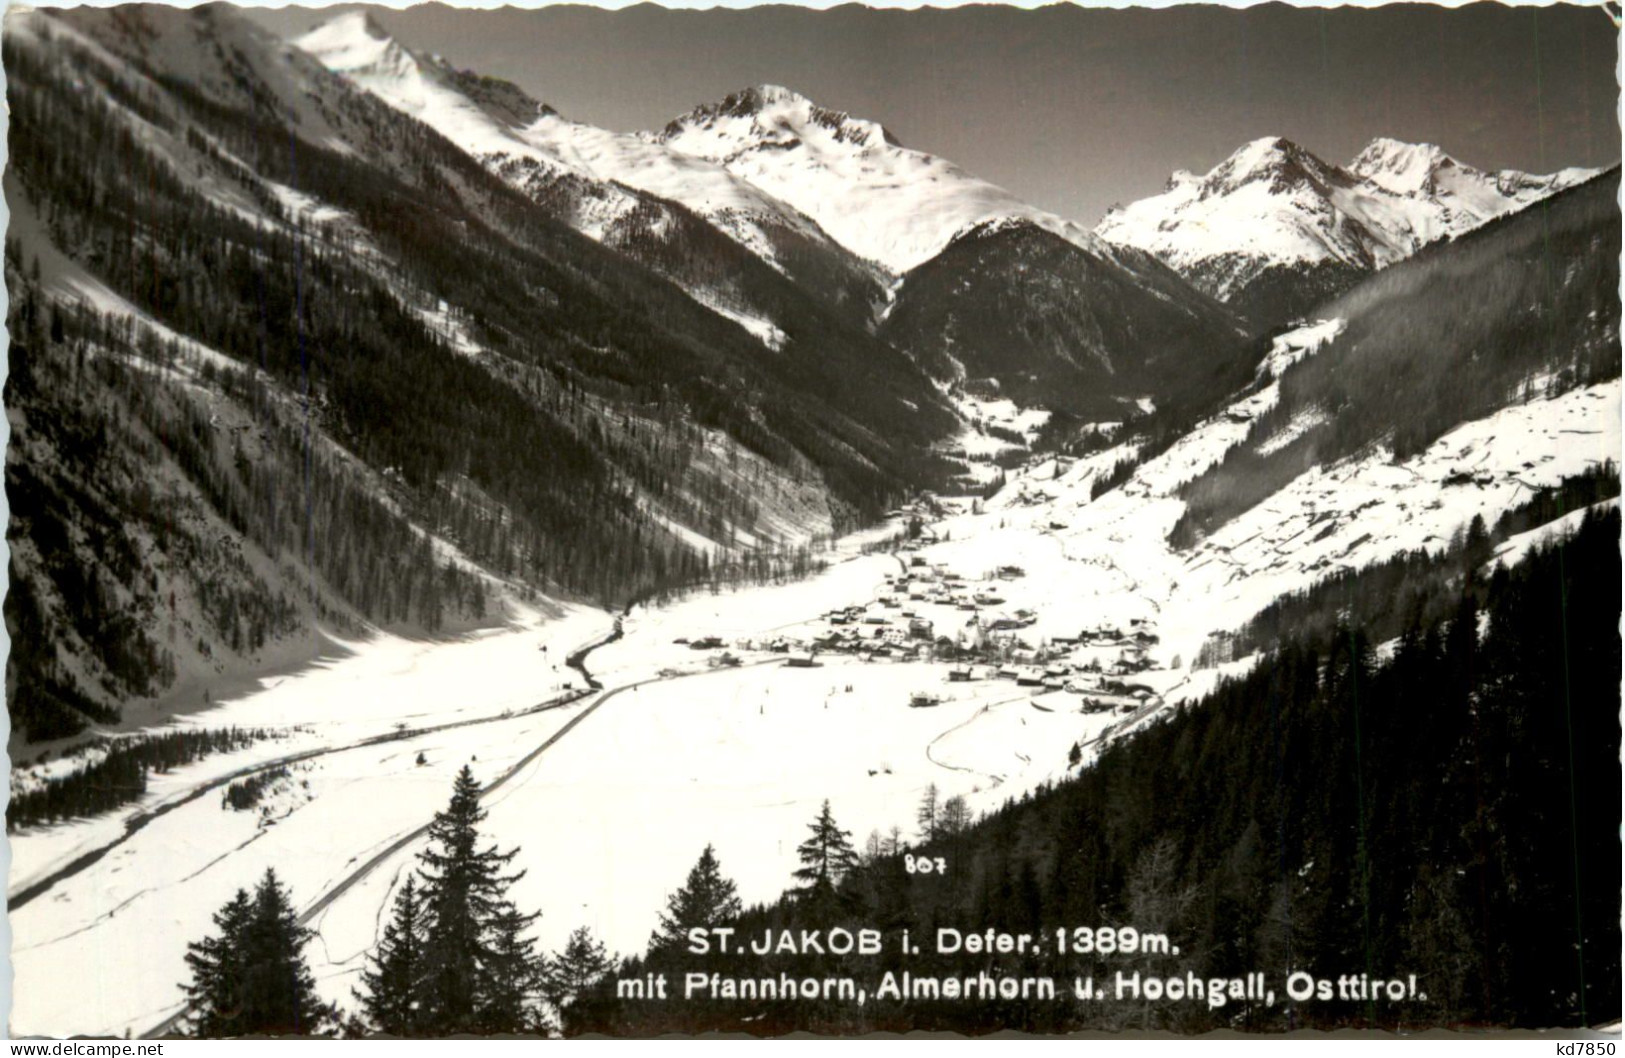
124,922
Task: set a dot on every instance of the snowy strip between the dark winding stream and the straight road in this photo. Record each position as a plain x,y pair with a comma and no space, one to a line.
121,929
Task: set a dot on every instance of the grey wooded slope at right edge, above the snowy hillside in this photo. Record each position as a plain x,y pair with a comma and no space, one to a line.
1523,306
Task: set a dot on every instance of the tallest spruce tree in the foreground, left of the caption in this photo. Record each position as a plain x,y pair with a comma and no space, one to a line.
470,930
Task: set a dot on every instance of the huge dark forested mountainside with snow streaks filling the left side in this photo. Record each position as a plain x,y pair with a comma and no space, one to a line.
342,334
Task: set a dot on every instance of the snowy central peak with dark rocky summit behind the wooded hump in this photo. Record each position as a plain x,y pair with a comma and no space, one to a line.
885,202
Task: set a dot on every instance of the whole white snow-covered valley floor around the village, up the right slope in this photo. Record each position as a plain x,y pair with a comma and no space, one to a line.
678,752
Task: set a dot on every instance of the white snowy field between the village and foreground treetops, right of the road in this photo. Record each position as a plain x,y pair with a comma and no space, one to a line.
742,760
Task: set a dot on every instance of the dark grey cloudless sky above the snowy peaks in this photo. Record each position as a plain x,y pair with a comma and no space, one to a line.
1077,108
